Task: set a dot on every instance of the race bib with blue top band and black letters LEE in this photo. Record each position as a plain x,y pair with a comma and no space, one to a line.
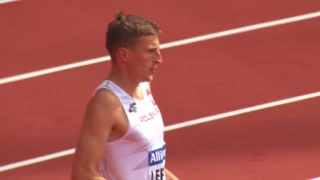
156,163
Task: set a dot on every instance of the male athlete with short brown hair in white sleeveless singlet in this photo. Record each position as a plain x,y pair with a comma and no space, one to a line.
122,133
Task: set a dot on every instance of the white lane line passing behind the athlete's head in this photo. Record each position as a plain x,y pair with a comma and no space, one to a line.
164,46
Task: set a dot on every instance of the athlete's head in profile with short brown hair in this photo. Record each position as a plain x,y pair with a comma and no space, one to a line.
133,42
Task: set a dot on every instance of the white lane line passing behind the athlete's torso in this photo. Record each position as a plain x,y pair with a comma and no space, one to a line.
170,128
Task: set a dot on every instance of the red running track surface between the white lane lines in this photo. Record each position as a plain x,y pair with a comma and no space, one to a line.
43,115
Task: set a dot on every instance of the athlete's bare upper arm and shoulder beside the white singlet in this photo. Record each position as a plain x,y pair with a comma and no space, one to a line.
99,120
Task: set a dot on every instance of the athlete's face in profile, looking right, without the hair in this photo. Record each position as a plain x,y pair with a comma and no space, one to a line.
145,58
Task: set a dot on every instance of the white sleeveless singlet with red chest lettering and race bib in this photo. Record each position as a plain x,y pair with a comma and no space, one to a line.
140,154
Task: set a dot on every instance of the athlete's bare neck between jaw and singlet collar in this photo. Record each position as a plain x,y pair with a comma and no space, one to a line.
122,79
